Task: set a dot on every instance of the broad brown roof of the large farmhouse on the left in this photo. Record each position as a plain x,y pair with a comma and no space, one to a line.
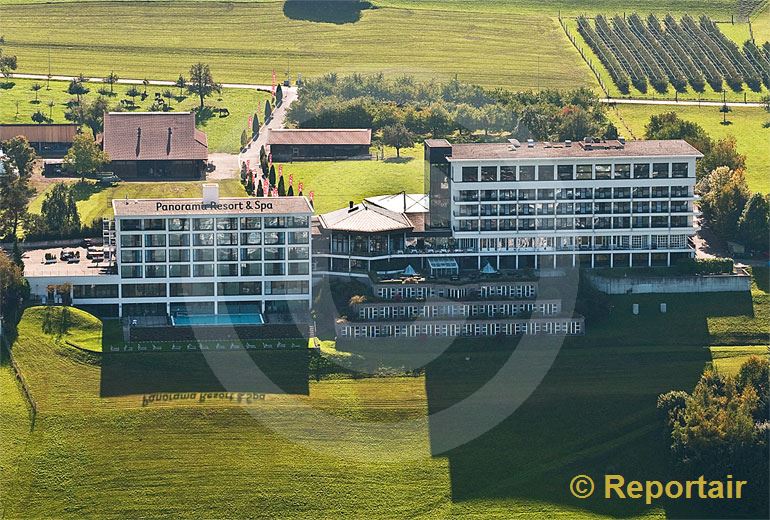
149,136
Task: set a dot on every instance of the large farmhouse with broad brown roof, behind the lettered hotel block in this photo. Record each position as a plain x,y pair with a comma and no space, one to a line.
155,145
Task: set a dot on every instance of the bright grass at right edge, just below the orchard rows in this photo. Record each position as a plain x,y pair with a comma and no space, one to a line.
753,140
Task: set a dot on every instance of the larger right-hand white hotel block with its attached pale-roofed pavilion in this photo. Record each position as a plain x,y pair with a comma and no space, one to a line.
529,205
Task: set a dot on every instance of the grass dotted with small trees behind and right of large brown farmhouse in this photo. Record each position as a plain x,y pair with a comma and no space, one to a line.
224,133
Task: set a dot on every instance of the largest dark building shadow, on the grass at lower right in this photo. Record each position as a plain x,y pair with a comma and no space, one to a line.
594,412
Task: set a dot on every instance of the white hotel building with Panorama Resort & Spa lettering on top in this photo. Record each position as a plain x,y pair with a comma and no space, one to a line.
192,257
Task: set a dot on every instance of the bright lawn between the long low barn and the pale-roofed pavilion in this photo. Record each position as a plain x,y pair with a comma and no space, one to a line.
334,183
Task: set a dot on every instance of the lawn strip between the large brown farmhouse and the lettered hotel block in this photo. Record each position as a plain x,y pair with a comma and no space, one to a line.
95,201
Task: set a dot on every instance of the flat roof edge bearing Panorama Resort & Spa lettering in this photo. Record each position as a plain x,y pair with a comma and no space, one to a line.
224,206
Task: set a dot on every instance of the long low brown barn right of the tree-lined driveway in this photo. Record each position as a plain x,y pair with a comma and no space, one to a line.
317,144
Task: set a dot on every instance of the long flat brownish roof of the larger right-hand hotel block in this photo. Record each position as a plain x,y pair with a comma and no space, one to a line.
544,150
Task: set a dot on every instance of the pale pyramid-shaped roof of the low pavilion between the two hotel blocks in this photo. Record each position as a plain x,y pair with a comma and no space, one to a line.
364,218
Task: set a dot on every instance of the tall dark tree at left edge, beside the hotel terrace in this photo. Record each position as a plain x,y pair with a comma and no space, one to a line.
15,191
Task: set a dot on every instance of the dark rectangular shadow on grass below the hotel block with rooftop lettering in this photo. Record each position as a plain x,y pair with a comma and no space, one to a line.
257,371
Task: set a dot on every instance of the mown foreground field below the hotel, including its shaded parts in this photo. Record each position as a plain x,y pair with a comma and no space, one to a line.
350,447
